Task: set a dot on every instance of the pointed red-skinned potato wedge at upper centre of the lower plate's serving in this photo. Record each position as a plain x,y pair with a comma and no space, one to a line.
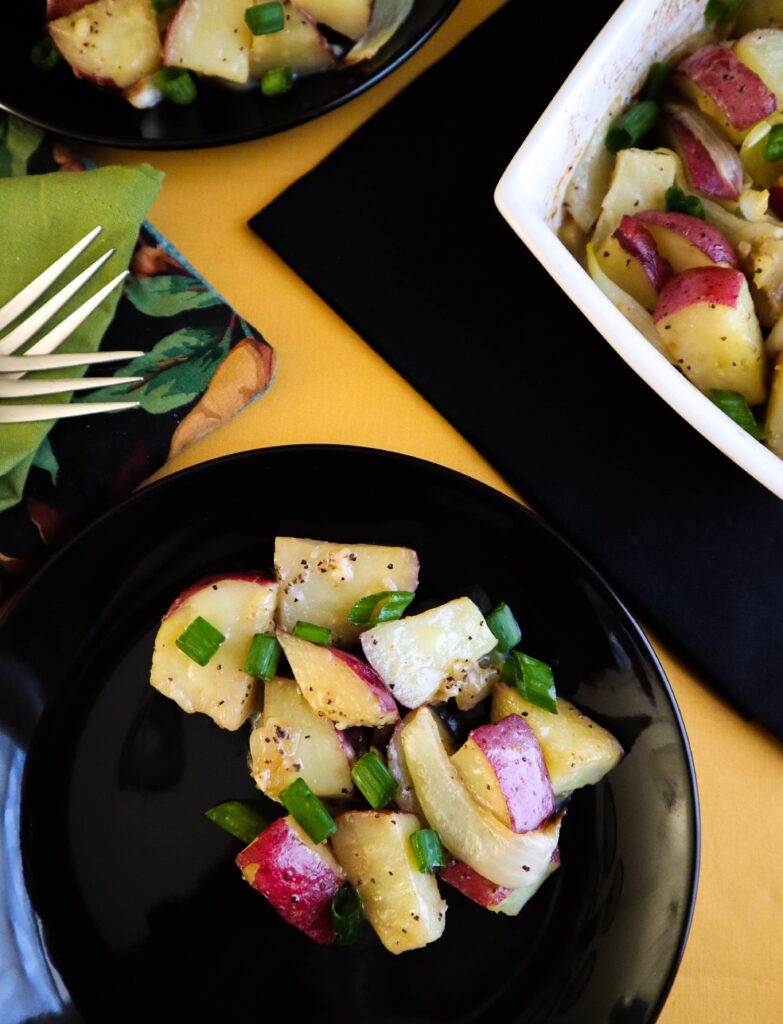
338,686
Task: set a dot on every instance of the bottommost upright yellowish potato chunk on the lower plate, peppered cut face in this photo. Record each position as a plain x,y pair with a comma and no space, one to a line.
402,904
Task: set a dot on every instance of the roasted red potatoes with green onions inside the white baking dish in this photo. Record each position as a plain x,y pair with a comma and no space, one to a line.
678,209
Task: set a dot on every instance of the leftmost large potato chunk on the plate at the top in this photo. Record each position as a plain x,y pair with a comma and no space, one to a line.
112,42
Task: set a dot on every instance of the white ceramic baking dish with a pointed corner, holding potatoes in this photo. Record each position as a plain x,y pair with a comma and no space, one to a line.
532,192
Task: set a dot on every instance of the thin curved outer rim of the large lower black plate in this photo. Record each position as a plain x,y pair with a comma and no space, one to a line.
18,609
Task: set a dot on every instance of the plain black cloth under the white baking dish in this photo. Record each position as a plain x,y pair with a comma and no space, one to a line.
399,232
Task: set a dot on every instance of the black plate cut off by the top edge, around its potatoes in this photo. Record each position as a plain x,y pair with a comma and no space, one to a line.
63,104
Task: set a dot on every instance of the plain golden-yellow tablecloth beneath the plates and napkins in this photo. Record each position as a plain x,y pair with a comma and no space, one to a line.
332,388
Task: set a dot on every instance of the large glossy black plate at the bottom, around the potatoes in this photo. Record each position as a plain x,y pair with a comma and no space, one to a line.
121,902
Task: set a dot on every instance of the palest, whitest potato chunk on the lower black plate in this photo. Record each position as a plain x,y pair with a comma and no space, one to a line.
419,655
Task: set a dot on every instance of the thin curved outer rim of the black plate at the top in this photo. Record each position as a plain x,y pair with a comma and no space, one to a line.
232,138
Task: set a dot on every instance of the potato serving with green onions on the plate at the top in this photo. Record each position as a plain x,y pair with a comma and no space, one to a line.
151,50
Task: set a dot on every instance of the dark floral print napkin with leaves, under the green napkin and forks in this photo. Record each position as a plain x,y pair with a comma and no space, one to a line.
202,365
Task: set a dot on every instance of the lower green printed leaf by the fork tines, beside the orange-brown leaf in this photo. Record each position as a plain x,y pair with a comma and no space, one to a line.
175,373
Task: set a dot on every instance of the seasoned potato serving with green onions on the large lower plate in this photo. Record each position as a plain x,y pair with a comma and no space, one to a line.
355,706
